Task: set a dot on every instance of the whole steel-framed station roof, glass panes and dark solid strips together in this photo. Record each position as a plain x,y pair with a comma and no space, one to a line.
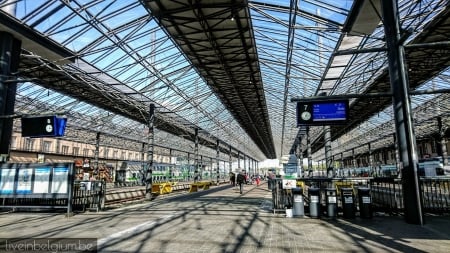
229,68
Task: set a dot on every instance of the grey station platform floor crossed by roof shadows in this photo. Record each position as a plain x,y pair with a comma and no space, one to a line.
222,220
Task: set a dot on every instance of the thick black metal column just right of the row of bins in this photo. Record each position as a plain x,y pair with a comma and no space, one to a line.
402,114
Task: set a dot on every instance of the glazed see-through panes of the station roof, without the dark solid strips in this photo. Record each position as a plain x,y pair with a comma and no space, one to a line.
120,46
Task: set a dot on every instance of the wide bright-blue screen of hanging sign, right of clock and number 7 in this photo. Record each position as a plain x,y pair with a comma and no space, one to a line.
329,111
